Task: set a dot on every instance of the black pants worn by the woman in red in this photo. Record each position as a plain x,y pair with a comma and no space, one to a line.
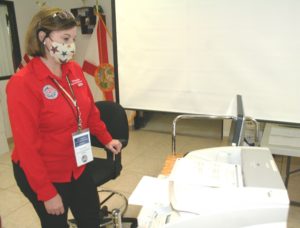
79,195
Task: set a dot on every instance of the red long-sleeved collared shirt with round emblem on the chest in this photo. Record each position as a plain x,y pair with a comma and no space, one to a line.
43,120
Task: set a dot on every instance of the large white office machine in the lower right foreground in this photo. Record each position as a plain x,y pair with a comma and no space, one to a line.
223,187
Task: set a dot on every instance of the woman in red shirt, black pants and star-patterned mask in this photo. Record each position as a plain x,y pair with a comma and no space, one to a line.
52,112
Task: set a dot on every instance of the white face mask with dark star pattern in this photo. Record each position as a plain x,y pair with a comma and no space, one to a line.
62,53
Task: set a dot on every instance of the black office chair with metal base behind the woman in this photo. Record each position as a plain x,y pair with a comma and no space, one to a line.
109,168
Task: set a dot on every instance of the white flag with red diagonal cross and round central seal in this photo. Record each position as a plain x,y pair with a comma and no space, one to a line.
97,63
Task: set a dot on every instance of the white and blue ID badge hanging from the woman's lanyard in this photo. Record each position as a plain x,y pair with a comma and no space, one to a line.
82,147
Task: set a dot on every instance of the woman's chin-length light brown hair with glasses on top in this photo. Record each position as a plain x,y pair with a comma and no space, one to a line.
46,20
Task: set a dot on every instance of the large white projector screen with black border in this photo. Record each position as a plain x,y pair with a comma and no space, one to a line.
195,56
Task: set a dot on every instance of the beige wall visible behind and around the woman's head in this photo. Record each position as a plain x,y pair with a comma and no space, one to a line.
24,10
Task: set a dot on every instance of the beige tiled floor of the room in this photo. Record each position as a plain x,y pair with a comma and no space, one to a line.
144,155
